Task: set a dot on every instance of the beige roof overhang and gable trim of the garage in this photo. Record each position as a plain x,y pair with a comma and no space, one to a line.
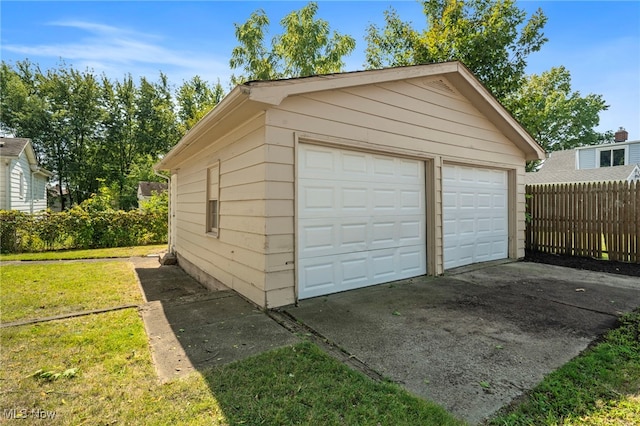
252,97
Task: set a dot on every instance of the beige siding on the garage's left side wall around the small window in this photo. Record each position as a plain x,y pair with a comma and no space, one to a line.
235,258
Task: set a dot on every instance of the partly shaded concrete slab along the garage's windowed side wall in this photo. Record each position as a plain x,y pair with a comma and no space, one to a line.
191,327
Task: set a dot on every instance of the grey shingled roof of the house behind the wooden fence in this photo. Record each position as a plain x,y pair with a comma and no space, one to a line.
561,167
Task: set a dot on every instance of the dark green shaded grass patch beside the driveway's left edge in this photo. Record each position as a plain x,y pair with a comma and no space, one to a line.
302,385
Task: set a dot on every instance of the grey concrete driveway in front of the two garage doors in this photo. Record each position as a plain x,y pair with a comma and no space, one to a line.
476,339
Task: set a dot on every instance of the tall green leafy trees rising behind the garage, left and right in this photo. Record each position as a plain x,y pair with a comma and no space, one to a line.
90,129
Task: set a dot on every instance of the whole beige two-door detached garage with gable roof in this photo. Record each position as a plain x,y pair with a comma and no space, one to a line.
297,188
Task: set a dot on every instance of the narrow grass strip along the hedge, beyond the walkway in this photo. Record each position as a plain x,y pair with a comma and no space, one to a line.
115,252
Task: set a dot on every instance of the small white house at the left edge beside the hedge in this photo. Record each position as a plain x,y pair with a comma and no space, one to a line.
23,183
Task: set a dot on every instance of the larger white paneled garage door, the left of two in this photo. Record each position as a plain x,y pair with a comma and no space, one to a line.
361,220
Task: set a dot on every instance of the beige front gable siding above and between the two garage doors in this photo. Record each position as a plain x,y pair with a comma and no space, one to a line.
418,118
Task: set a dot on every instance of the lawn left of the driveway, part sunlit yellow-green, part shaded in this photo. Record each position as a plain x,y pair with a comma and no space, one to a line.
97,369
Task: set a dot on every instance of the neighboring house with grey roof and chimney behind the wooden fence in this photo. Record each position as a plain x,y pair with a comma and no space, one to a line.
616,161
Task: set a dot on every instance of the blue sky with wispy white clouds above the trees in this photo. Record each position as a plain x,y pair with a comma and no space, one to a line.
598,41
